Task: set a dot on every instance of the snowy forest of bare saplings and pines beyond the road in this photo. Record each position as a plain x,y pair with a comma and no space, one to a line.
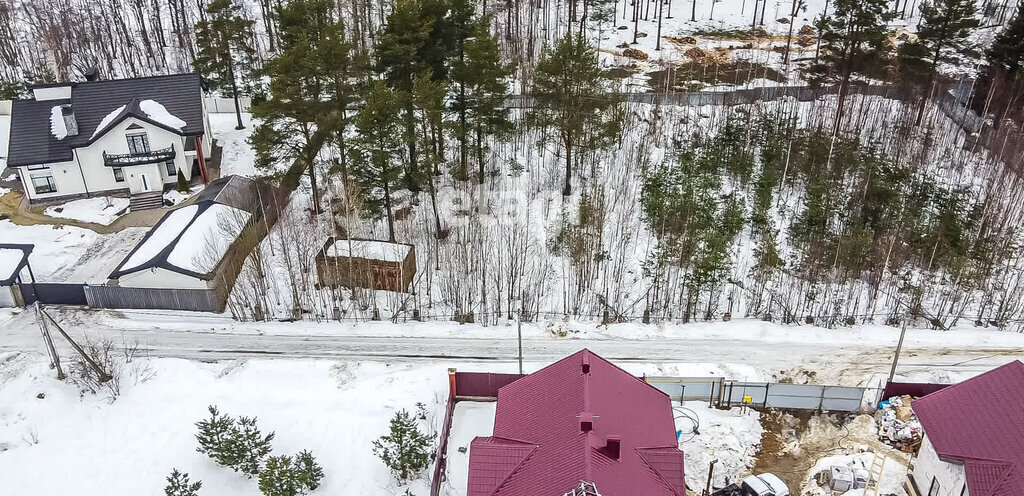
844,211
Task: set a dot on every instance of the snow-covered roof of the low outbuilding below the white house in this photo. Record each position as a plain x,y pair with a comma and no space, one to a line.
192,240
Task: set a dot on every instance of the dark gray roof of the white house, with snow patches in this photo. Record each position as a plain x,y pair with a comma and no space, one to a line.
32,143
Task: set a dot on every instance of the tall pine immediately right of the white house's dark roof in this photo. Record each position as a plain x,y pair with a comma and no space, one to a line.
225,42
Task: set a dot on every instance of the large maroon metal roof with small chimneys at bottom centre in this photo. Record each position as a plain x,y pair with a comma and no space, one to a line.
581,420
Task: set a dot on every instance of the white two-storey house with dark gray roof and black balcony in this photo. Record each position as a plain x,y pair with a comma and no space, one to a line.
119,138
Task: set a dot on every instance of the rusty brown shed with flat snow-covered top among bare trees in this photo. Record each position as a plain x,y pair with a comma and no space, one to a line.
367,264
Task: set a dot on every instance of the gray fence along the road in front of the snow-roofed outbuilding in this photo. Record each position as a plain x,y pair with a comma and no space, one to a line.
183,300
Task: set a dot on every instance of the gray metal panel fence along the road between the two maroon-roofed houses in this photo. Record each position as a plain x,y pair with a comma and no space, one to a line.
724,393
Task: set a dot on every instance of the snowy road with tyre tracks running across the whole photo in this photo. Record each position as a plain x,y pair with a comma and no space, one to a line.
849,358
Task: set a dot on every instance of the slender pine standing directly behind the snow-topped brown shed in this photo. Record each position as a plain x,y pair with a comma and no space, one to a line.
376,151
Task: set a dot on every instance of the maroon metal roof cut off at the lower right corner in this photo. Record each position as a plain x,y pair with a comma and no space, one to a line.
980,423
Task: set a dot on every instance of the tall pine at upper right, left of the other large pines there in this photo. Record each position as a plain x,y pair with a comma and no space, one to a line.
852,40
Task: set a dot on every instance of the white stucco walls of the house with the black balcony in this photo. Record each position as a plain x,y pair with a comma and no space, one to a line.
87,174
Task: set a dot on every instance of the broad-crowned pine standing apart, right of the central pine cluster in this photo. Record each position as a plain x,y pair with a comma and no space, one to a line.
571,97
